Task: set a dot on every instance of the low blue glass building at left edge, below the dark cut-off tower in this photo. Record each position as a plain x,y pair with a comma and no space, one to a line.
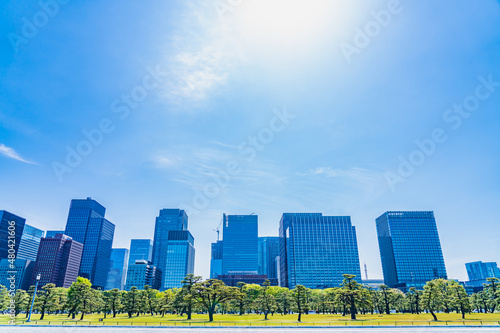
16,274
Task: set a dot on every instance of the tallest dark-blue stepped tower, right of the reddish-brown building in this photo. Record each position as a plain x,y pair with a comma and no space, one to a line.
87,225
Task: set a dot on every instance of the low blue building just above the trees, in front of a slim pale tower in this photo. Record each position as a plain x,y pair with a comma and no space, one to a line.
143,273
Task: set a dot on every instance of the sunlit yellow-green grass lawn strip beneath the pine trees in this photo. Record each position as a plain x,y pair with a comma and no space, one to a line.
258,320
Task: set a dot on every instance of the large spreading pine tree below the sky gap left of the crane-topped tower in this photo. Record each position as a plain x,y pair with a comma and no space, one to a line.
210,293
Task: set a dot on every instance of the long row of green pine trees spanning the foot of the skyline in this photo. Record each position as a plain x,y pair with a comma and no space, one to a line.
213,296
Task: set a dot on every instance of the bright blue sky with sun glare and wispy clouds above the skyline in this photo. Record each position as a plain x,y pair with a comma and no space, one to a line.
256,107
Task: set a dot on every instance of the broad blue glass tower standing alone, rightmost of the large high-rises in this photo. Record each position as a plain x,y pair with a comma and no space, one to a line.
410,249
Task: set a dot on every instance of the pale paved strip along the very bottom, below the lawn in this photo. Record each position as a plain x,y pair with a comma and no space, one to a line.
18,329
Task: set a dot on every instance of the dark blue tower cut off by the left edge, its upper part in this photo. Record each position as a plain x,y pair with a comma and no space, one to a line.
11,227
